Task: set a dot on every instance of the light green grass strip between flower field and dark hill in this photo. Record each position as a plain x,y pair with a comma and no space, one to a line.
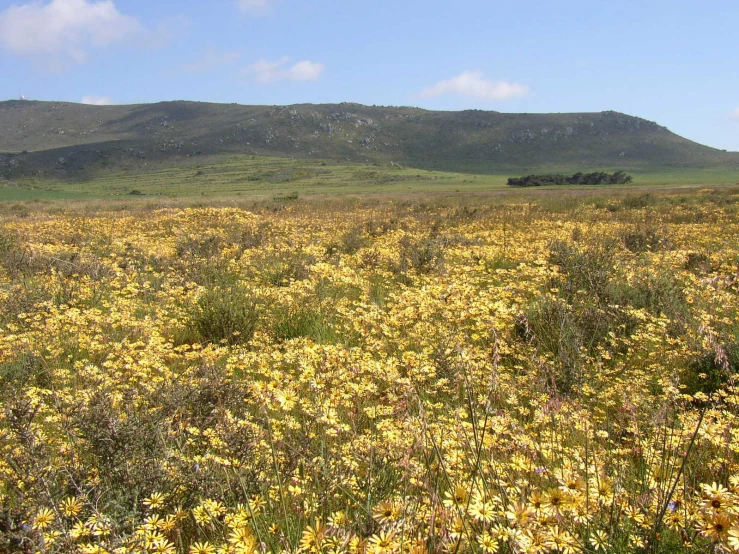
281,177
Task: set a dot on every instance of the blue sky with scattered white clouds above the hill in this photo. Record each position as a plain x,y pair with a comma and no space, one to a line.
675,62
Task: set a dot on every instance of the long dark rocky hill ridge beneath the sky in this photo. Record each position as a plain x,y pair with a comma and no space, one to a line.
66,140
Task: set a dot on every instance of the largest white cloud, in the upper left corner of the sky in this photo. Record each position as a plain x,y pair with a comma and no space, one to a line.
62,31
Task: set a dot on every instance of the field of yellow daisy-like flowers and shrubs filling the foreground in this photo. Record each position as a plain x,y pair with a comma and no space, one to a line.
523,376
